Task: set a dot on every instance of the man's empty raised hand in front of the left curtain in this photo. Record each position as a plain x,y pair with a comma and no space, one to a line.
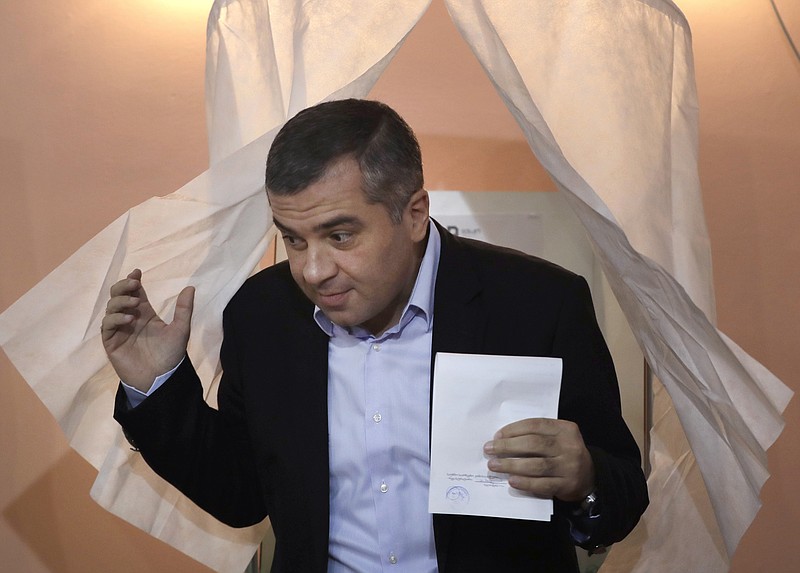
139,344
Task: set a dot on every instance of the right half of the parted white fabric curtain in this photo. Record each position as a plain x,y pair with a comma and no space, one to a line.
604,92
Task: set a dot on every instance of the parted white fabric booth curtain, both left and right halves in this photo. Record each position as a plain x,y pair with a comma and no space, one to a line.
604,93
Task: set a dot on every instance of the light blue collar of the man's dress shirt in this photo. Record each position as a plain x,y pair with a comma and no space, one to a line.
421,299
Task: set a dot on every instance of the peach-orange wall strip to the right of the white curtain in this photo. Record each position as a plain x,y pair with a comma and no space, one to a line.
749,86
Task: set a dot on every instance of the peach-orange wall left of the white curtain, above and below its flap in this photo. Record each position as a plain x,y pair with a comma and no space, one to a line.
101,107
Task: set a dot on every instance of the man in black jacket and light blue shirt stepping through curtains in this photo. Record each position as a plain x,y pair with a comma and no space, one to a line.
324,405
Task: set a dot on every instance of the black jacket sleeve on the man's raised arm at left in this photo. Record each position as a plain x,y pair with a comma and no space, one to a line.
204,452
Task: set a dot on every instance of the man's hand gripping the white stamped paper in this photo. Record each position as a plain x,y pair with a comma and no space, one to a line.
543,457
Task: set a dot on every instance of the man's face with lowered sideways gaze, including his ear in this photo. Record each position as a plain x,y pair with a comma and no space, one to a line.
346,254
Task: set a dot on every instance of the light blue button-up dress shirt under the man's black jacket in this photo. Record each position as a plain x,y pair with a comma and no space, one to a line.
378,427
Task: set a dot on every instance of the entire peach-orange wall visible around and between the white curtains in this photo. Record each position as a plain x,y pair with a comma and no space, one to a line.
101,106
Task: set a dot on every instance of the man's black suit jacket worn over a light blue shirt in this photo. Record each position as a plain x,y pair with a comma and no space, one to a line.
265,451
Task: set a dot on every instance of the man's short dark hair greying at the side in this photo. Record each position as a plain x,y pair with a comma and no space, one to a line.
370,132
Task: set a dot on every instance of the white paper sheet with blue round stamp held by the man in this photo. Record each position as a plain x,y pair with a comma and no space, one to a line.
475,395
